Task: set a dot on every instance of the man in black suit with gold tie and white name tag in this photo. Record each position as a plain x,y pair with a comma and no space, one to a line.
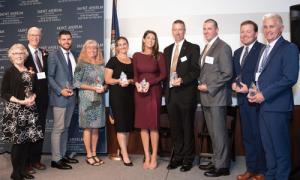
180,94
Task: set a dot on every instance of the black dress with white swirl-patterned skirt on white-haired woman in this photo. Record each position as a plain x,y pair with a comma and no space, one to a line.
18,122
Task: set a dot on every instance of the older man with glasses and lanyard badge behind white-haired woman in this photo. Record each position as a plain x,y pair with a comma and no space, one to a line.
37,61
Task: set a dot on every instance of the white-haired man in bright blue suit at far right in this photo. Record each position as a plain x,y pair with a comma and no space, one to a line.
276,73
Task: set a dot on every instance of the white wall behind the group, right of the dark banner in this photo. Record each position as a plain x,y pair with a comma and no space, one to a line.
137,16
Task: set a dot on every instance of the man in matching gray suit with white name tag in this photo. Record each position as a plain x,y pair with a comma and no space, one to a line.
215,95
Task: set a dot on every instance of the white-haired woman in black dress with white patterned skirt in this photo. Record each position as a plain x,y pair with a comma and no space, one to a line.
19,117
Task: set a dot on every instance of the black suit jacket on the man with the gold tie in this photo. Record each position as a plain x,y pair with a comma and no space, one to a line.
187,69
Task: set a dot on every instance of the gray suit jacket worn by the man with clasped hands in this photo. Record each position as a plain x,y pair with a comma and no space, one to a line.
217,75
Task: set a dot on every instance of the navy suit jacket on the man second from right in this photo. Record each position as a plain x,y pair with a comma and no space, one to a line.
247,71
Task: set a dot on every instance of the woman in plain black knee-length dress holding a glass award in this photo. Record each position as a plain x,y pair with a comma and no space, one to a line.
119,76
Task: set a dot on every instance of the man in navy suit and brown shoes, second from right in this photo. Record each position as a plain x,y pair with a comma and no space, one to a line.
244,62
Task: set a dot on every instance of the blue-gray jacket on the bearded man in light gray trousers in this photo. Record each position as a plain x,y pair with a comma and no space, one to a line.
58,76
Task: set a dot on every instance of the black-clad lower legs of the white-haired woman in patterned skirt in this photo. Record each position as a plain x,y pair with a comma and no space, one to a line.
19,154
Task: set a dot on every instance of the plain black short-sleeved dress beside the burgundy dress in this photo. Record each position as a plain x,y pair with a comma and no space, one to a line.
121,99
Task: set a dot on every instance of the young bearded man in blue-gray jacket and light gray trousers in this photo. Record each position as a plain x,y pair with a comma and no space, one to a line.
61,66
